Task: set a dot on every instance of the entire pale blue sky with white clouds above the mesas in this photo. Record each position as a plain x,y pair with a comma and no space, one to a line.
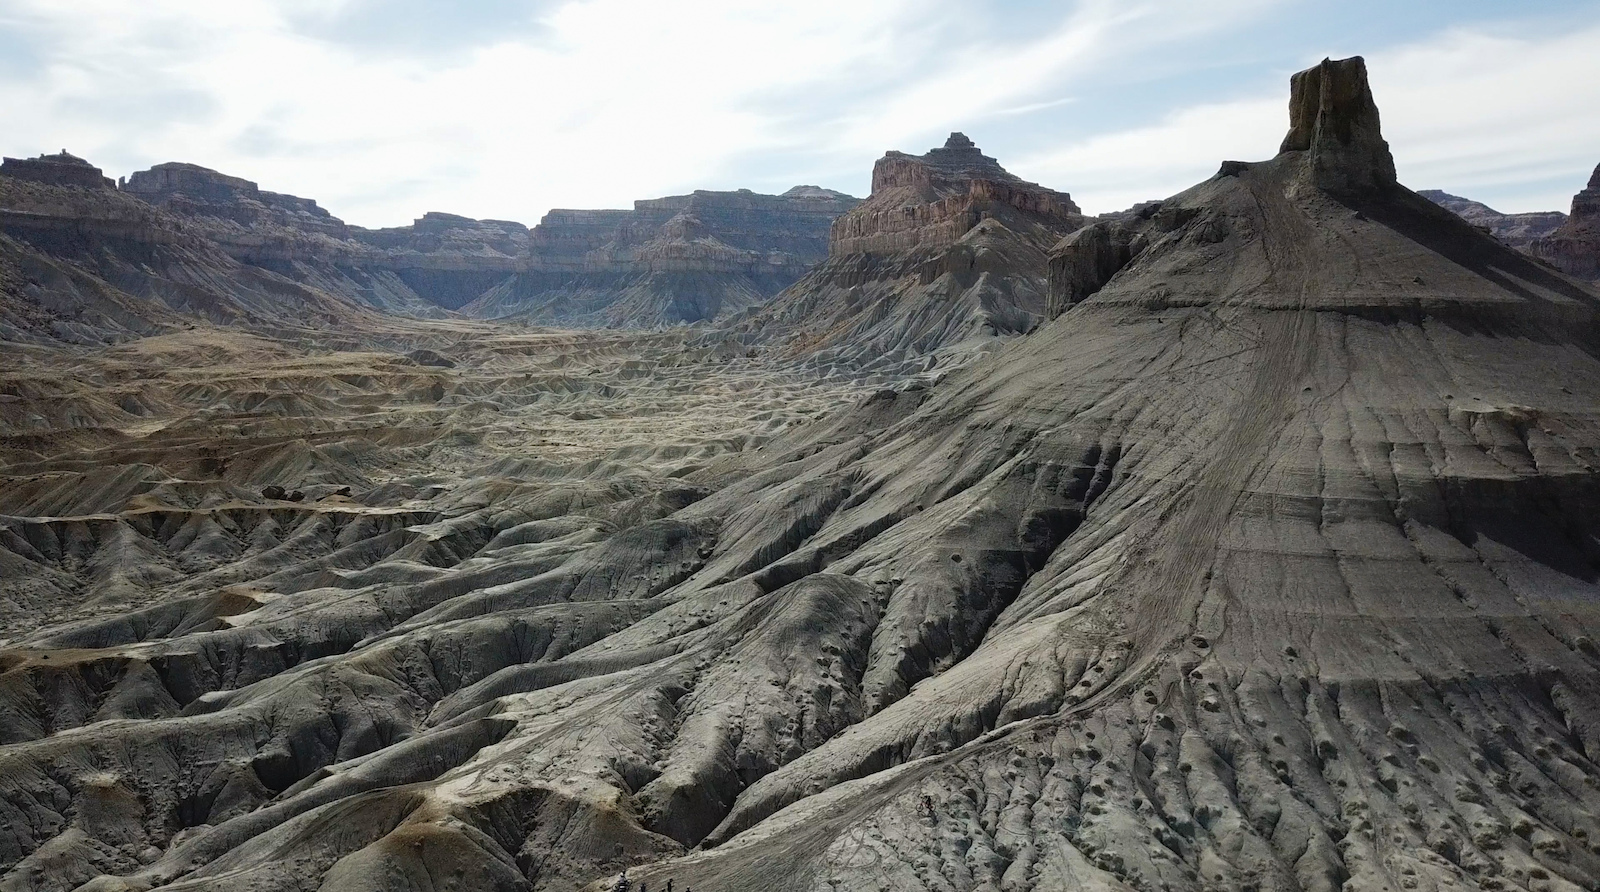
385,110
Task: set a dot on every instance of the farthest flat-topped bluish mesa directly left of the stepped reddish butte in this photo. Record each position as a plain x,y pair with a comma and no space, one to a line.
678,260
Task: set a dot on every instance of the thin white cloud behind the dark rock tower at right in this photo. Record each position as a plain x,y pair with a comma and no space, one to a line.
1465,111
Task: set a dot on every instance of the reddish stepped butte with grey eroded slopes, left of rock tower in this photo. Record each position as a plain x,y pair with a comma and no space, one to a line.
948,255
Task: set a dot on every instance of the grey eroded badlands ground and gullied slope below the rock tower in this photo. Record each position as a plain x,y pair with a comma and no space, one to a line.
1270,567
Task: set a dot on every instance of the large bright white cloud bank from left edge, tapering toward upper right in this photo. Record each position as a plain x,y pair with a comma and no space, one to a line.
607,102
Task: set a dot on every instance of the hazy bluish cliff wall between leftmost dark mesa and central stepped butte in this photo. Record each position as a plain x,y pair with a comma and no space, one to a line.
674,260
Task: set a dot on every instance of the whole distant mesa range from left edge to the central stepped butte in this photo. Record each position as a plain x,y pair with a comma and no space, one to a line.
678,260
